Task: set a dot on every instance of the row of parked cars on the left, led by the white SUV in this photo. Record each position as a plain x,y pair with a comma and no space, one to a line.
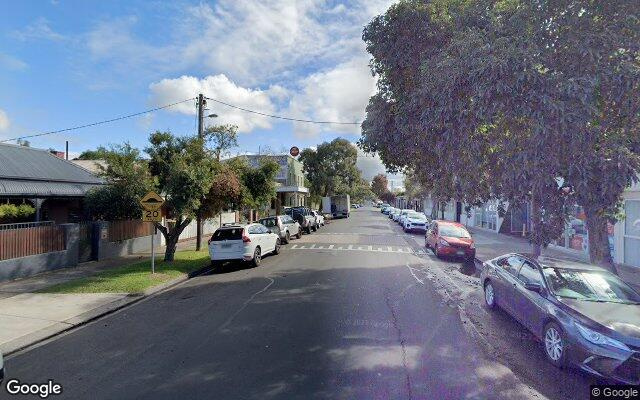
250,242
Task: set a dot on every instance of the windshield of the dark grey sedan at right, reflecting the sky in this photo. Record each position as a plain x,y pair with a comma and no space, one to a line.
589,285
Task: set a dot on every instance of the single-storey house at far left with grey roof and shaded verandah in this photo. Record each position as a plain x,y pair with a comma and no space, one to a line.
54,186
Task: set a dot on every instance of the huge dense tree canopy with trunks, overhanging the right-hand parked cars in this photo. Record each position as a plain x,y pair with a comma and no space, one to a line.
504,99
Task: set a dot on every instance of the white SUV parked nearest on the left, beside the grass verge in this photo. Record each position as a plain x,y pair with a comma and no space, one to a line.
242,243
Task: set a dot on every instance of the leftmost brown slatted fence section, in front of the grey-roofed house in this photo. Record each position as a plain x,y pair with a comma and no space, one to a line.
27,241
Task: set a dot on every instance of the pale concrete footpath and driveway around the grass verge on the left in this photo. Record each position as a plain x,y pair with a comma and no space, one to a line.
28,317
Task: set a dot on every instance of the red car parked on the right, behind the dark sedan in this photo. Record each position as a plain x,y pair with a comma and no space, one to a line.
448,238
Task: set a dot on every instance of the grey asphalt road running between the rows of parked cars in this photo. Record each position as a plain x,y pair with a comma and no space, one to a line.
357,310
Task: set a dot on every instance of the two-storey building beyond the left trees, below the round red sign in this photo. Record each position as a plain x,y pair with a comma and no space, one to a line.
291,190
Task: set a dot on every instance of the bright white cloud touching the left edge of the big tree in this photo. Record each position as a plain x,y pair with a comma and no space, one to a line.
339,94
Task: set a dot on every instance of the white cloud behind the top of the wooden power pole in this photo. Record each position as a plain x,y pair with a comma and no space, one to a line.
221,88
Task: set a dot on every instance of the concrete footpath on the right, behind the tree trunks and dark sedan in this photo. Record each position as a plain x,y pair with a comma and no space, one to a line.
490,244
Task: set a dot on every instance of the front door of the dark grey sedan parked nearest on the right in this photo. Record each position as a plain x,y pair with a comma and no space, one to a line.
528,304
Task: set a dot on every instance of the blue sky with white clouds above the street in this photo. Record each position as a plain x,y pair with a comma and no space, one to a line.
66,63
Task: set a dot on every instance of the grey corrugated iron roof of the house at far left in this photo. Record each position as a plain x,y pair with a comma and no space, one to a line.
25,163
